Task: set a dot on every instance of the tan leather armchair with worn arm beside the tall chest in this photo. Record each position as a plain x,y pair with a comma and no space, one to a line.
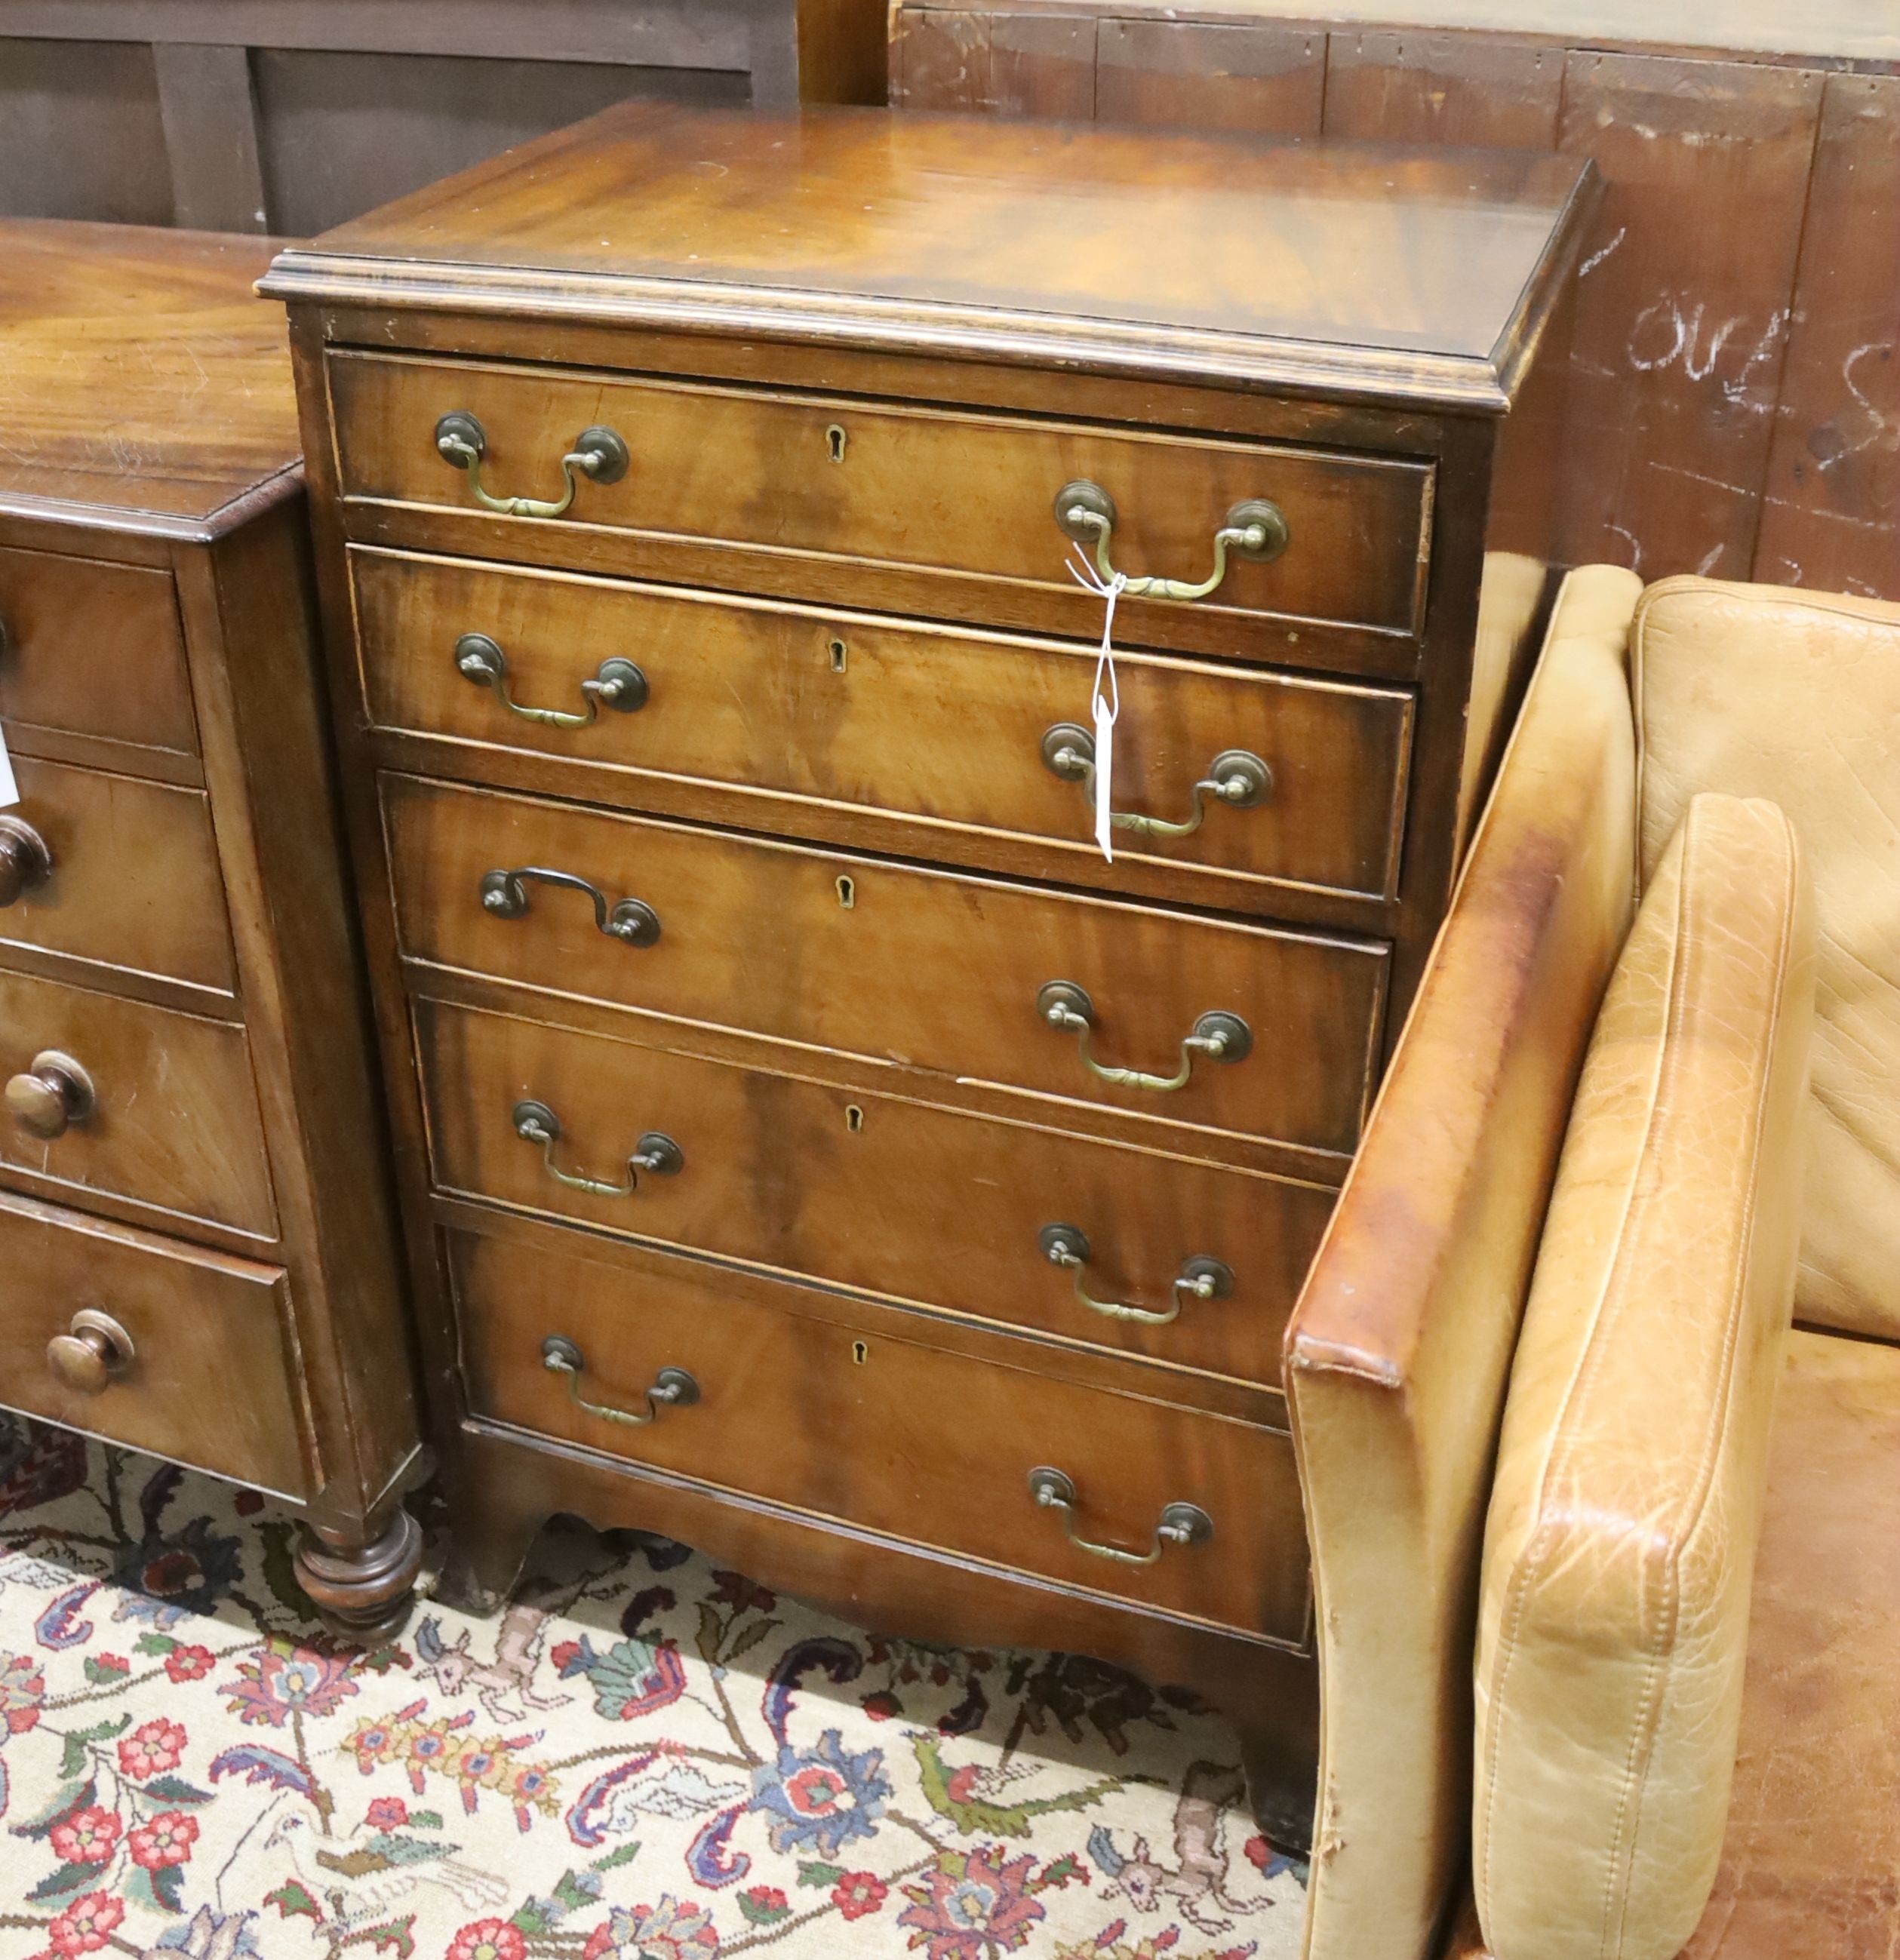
1607,1559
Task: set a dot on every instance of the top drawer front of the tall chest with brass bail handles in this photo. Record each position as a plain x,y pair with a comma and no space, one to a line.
913,487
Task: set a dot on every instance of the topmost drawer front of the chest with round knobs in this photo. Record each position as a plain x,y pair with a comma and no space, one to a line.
93,650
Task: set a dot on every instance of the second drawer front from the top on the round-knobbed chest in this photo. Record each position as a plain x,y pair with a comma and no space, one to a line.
117,871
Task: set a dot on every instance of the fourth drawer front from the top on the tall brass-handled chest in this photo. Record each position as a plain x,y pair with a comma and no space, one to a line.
877,1193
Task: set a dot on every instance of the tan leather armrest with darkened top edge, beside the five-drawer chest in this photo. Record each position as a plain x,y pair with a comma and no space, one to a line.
1401,1344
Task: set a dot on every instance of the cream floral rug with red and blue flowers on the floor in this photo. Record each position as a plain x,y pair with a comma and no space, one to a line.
640,1759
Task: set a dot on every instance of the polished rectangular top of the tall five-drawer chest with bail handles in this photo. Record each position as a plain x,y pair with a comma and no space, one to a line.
1334,269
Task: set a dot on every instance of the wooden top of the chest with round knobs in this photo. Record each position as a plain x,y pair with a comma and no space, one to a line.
142,381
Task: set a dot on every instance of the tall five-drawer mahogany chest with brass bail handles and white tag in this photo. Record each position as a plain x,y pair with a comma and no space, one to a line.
811,1144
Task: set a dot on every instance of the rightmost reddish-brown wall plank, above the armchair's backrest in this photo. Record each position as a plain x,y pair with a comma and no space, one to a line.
1832,509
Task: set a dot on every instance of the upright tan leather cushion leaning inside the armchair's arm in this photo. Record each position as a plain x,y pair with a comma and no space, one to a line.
1615,1608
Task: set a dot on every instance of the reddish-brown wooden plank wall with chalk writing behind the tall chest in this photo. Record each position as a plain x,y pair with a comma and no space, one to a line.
1736,377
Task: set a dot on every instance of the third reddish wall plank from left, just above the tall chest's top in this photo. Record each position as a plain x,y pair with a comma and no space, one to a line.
1442,89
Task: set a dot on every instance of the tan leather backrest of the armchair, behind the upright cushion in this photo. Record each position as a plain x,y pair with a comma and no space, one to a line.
1797,697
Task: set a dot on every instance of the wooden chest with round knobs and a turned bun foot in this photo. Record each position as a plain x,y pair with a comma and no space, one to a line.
197,1242
